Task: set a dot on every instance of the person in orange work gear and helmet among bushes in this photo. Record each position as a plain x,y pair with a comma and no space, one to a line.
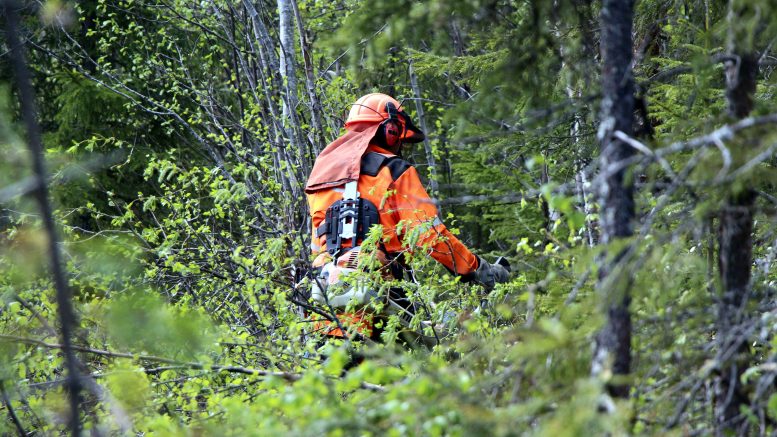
360,180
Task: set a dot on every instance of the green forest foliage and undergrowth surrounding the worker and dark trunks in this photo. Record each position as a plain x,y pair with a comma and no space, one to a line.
177,178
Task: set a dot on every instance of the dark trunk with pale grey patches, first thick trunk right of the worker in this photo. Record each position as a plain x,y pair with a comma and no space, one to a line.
613,344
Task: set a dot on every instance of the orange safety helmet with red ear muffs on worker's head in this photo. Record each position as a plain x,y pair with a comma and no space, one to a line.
382,108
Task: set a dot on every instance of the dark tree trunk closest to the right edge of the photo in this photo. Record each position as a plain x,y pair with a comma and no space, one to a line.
735,257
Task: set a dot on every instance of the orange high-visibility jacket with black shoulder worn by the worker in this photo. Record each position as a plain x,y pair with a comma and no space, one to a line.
396,190
